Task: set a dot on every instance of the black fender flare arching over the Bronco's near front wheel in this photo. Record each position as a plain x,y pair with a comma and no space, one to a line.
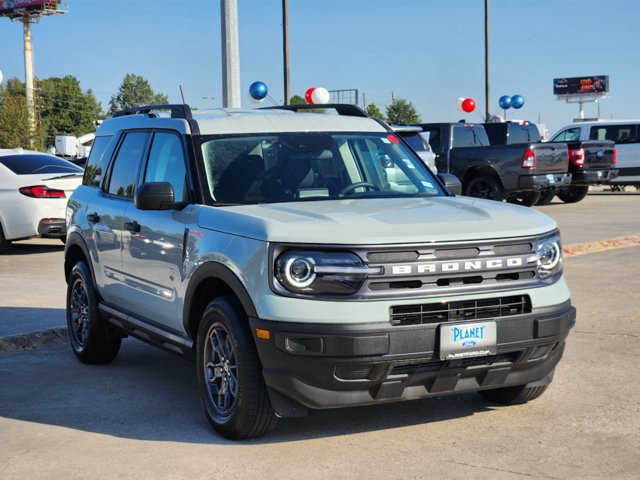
215,271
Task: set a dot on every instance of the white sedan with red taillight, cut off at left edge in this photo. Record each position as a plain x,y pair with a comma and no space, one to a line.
34,188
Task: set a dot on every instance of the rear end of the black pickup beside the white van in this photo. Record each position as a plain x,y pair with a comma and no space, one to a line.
591,162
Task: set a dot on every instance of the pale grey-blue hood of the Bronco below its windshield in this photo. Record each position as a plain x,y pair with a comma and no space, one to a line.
378,221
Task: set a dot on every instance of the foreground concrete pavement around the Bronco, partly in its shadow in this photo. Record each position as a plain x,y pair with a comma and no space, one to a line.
141,418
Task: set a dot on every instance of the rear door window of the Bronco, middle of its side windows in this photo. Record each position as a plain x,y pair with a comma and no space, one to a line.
125,167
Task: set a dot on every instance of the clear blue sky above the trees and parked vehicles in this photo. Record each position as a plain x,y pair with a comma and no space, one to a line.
426,51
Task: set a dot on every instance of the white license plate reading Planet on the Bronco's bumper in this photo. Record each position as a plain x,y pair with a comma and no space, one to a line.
467,340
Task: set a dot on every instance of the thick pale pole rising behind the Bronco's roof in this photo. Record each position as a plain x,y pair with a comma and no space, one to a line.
230,54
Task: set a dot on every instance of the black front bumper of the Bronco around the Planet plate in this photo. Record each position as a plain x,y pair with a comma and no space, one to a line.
327,366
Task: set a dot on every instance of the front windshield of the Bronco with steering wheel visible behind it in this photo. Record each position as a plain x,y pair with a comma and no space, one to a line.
286,167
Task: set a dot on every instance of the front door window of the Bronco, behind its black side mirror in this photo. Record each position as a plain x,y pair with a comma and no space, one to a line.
166,164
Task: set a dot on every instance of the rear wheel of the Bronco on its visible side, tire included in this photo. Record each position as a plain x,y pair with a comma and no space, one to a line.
92,340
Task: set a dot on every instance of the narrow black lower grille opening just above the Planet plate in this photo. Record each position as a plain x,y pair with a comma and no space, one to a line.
461,310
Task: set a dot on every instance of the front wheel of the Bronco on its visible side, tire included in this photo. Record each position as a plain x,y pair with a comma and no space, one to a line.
232,389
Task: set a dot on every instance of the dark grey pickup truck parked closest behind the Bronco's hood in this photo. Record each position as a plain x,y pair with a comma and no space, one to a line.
516,170
